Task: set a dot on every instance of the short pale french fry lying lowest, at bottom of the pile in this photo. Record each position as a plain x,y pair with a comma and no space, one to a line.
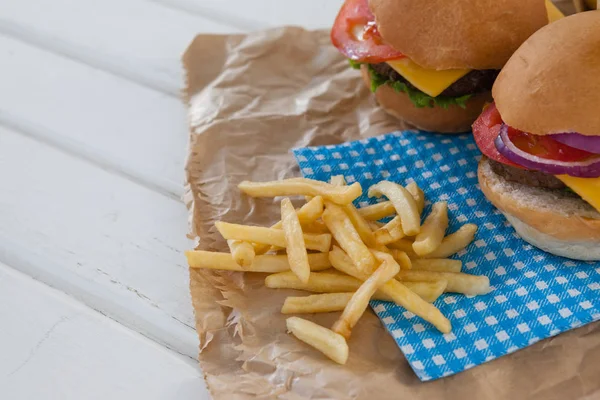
325,340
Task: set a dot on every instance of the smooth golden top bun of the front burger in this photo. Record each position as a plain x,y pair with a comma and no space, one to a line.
552,82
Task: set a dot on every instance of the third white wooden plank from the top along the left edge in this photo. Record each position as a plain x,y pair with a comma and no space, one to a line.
114,245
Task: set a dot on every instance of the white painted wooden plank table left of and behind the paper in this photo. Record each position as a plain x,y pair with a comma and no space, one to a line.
94,300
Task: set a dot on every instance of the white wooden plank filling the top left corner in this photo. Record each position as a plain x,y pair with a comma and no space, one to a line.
135,39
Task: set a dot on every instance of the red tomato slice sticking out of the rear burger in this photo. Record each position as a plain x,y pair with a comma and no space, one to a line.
356,36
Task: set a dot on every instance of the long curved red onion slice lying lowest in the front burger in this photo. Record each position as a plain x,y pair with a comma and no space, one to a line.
589,168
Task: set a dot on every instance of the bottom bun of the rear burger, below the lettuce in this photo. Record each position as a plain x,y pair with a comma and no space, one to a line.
452,120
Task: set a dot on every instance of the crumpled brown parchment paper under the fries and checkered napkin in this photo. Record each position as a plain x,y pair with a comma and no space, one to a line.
252,98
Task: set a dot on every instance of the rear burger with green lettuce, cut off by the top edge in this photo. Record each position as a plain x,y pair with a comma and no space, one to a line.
433,63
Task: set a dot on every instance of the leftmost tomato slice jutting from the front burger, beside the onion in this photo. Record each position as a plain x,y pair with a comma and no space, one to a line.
485,131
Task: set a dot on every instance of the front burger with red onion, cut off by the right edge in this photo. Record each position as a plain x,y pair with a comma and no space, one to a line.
541,139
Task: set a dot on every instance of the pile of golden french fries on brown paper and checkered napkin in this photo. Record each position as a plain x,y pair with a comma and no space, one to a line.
330,247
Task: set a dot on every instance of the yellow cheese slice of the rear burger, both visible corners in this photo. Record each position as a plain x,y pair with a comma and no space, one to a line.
434,82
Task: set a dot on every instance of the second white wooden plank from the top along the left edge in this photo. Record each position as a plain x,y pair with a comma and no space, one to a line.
114,122
